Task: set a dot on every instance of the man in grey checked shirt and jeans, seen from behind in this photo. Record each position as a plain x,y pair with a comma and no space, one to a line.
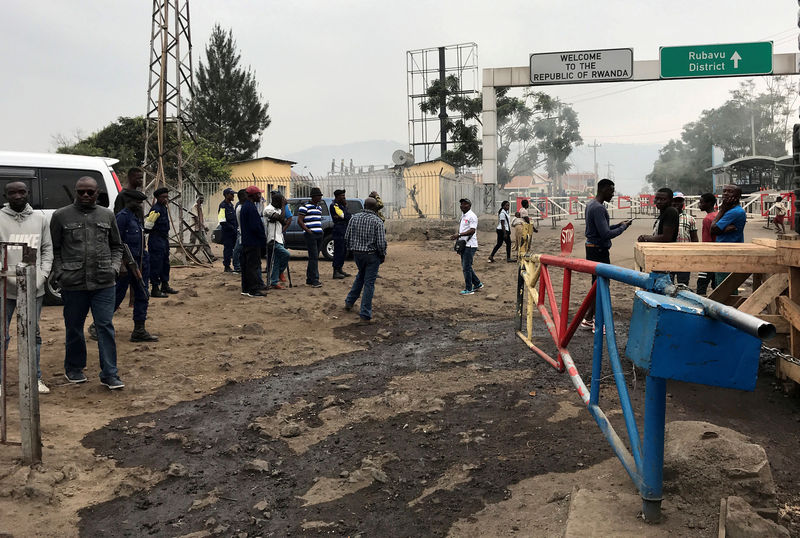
366,238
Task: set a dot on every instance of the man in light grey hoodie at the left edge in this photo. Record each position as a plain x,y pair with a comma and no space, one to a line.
19,223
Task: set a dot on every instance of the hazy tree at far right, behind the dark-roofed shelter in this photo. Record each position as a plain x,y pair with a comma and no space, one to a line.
682,163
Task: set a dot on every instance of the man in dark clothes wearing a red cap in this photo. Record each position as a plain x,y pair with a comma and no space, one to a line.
253,240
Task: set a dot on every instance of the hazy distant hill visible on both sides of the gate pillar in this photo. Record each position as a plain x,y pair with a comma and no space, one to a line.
630,162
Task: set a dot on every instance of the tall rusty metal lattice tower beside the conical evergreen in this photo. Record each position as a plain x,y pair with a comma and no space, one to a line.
170,86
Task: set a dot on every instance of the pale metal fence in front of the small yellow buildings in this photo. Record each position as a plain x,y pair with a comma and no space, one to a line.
405,196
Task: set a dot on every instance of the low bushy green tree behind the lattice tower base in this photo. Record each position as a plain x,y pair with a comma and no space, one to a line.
124,139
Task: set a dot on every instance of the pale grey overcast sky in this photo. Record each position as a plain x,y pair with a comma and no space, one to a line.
334,71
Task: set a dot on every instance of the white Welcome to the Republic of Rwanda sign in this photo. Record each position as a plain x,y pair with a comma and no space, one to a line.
604,65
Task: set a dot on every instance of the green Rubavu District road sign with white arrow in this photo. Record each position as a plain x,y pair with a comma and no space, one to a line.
726,60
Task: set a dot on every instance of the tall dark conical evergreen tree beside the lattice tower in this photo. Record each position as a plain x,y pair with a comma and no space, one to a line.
227,107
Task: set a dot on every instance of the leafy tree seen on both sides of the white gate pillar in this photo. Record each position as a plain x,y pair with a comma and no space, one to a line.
531,130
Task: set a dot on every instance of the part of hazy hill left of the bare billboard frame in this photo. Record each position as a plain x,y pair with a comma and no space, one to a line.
370,152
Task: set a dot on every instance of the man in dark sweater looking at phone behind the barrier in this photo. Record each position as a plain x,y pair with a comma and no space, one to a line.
599,234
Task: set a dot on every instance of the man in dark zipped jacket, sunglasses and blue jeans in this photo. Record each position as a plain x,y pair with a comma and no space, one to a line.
87,253
